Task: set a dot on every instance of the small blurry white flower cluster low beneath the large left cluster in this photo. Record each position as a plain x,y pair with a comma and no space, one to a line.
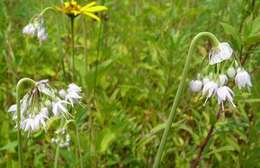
62,138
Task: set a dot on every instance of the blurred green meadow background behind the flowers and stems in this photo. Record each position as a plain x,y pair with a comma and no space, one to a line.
129,66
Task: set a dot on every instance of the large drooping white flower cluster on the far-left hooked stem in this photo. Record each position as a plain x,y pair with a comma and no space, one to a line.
43,102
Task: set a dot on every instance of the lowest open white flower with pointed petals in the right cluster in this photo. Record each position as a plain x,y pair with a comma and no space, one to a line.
224,93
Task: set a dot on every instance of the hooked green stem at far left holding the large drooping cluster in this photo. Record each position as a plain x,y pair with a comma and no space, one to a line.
19,134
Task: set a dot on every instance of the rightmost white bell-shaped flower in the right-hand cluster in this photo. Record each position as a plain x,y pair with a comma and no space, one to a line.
243,79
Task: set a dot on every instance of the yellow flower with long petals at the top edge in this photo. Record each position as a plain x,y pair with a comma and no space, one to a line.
73,9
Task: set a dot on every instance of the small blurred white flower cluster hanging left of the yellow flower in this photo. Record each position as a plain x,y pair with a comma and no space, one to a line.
36,28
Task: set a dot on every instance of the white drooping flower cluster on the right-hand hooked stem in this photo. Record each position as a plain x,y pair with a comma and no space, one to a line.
217,85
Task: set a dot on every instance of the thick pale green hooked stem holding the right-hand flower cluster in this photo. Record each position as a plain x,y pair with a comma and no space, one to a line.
172,115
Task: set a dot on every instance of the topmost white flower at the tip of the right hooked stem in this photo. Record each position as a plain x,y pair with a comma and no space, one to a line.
220,53
